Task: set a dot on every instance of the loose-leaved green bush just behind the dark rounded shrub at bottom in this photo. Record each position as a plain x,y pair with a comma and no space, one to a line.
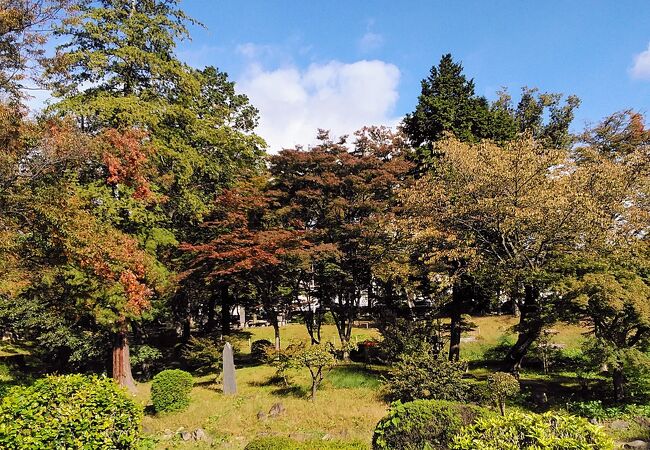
426,376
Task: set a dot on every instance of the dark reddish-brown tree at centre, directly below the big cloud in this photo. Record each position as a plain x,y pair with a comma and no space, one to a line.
337,195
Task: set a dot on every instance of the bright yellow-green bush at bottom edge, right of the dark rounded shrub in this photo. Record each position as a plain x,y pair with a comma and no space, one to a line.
520,431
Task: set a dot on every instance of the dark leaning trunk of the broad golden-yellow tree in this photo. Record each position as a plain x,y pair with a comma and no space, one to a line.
530,328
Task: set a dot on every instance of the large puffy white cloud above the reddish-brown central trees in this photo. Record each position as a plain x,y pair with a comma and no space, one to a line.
341,97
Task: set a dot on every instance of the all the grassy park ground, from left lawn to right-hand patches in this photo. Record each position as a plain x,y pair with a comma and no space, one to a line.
349,403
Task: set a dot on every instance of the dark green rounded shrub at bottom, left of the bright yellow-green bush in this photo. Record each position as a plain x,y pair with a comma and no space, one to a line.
415,425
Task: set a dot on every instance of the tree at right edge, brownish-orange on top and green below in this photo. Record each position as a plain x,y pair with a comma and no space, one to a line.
611,289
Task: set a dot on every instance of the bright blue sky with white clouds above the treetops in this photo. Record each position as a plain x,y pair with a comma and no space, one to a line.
342,64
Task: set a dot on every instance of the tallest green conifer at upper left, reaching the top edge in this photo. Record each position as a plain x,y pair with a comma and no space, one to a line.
116,69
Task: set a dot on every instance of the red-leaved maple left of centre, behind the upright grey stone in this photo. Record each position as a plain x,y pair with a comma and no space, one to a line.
249,247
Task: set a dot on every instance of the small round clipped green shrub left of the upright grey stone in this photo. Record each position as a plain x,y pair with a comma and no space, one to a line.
170,390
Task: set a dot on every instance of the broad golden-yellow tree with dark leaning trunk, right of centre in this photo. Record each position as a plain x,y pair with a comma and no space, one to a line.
520,208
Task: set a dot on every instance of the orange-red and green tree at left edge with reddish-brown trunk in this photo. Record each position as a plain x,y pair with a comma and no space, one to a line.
68,276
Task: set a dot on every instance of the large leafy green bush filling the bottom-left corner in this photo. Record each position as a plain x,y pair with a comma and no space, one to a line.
69,411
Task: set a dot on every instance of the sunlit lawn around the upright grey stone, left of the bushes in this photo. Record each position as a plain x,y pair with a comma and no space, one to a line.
347,407
